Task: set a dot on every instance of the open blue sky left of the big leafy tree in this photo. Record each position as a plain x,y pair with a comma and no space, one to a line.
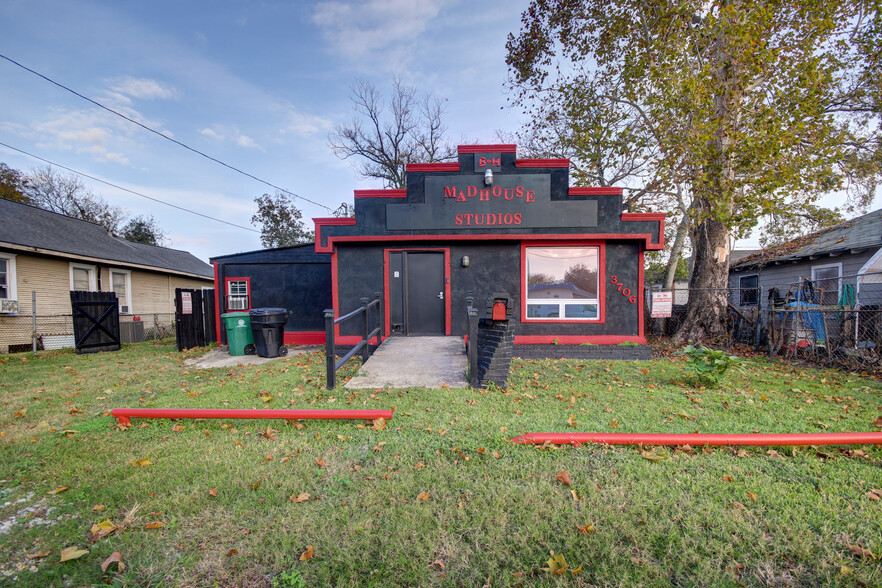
257,85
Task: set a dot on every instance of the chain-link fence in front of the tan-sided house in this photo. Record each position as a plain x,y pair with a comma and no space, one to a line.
21,333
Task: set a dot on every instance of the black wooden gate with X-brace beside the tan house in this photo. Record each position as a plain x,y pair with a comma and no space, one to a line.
96,321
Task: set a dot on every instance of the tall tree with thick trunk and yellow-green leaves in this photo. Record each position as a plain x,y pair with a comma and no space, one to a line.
743,108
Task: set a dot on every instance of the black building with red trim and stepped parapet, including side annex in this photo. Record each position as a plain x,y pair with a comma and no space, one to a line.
570,258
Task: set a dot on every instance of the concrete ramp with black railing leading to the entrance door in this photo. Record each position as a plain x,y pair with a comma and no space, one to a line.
425,362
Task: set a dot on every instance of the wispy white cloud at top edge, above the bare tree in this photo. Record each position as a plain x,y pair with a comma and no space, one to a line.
358,29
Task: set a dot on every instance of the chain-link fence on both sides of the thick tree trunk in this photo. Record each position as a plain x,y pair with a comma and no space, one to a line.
835,321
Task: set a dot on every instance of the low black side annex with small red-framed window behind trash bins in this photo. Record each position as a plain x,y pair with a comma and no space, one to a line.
296,278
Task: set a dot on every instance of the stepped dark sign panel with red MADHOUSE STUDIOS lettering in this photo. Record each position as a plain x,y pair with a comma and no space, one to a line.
515,201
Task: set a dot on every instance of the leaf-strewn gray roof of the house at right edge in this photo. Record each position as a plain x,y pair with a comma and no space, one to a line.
852,235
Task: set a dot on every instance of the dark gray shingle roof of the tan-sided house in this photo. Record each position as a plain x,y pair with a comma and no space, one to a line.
29,226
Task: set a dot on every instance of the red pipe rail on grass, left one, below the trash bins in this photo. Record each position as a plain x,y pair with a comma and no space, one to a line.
124,415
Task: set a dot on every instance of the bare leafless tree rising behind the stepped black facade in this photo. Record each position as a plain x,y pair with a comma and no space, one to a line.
384,138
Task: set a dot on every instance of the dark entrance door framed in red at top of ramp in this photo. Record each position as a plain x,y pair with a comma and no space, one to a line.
416,292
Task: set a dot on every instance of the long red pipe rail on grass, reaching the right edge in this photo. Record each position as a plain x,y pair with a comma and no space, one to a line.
698,439
